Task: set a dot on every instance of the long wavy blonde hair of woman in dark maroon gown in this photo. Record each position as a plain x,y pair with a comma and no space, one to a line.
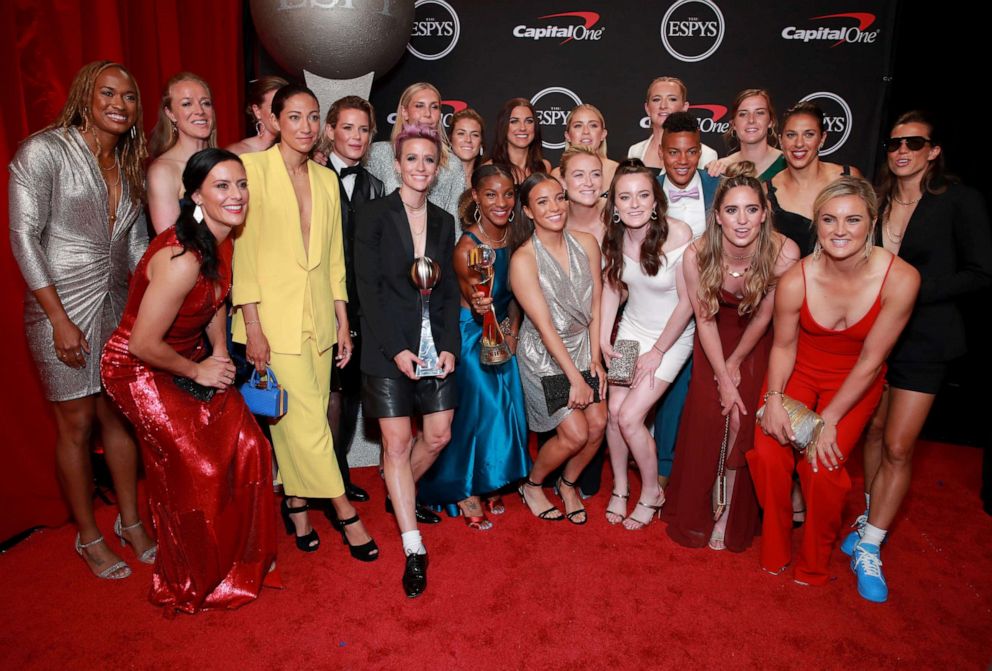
760,277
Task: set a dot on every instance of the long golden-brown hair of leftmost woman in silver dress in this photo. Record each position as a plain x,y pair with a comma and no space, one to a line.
132,149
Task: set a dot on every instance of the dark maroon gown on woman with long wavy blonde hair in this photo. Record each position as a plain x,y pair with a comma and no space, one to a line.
689,495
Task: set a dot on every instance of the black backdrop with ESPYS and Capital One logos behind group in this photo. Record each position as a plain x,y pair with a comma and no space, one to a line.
559,53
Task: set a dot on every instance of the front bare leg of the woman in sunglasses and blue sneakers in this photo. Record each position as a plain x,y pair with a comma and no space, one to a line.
908,411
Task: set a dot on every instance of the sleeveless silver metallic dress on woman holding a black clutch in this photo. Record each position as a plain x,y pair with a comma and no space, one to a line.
569,298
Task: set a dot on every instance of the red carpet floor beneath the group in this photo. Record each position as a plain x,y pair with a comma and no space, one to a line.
531,595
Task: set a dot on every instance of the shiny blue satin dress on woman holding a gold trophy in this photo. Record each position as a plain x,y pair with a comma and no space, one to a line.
488,448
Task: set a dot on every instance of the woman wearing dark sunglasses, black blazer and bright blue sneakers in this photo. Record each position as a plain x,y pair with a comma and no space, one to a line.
942,229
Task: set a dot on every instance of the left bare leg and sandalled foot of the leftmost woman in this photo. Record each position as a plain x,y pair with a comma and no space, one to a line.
72,458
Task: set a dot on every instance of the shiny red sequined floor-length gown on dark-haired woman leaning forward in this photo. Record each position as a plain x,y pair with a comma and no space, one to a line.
208,466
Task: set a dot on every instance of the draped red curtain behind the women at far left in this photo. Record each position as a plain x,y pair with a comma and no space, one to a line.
42,45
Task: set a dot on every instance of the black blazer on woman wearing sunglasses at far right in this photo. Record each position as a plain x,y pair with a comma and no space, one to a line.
949,242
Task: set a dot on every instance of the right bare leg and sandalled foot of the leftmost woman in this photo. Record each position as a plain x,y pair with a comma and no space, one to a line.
122,460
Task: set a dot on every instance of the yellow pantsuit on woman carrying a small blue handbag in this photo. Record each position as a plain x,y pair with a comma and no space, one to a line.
295,290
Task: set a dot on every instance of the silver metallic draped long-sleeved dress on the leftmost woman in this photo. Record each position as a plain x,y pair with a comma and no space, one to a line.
60,235
